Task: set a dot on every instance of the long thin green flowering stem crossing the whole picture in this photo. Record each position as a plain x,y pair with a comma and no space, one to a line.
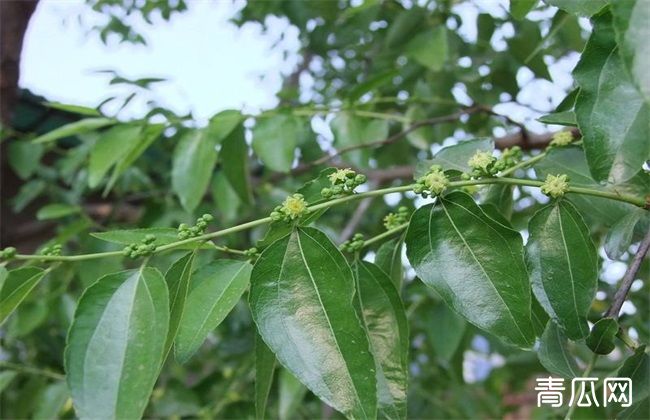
341,200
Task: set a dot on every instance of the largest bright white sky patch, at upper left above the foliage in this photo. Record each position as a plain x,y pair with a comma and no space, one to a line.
210,63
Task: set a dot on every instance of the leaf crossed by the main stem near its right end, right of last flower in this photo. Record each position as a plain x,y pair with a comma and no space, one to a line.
571,161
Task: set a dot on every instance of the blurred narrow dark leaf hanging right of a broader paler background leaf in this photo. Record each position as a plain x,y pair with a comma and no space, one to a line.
234,162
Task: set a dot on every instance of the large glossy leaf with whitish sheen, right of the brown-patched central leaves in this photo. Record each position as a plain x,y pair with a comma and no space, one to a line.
475,264
